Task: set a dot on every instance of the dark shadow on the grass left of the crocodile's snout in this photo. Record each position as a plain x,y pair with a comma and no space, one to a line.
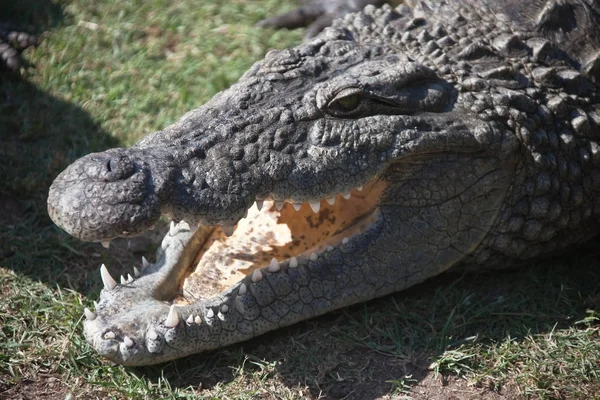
40,135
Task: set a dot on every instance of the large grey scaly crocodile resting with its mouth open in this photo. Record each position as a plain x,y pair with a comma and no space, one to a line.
398,144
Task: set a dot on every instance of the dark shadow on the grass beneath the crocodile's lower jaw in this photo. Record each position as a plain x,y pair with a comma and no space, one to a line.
365,351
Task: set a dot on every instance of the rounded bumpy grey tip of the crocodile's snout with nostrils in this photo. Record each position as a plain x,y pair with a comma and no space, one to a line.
105,195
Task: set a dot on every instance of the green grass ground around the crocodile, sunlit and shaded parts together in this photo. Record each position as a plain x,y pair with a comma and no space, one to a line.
109,72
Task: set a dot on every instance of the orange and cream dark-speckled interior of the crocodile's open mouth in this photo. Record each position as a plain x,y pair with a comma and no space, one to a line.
281,234
